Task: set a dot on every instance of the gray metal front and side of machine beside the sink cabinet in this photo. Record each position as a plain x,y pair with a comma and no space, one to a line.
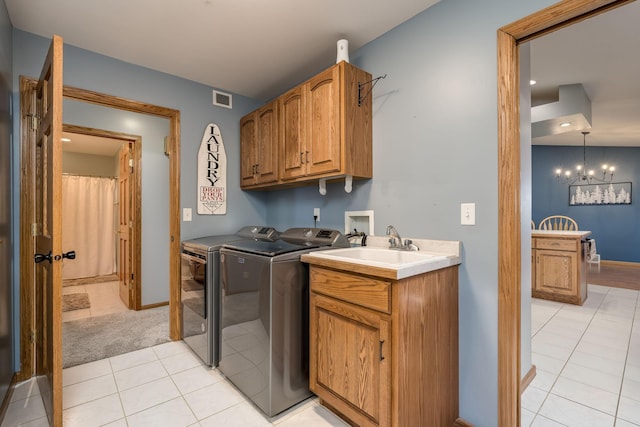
264,349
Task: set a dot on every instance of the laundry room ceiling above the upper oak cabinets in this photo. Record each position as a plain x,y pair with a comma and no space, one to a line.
256,49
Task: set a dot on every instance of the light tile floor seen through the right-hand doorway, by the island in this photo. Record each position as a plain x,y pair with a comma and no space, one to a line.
587,361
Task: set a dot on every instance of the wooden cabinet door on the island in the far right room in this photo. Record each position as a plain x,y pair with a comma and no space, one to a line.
556,271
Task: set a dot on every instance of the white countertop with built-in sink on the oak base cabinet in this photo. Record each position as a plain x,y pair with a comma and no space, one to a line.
402,263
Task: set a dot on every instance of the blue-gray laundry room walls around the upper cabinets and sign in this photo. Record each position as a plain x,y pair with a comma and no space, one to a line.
435,146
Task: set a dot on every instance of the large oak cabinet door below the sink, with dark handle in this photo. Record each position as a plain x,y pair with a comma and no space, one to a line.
350,359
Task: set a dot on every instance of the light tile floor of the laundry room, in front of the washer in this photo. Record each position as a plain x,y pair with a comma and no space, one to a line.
165,385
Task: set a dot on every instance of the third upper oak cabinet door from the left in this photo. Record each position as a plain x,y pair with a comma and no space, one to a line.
294,155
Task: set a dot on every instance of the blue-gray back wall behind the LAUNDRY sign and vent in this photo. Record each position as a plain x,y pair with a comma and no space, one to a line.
89,70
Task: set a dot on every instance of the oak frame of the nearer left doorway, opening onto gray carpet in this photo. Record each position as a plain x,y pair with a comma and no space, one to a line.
27,204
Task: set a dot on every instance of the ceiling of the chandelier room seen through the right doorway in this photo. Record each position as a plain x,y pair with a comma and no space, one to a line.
601,54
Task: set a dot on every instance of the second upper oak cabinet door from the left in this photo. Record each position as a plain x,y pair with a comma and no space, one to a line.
267,144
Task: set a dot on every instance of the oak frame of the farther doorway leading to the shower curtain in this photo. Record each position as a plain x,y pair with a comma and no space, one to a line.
135,300
